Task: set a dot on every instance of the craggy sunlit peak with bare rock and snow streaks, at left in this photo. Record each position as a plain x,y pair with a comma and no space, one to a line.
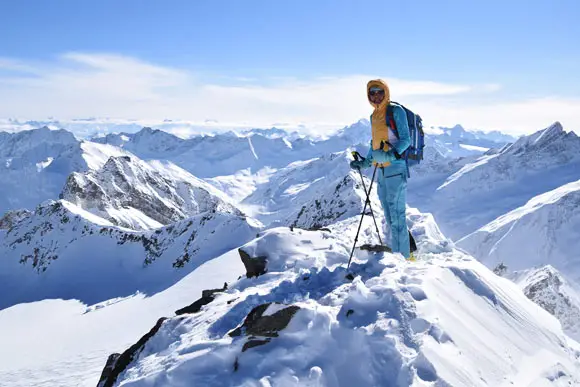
138,195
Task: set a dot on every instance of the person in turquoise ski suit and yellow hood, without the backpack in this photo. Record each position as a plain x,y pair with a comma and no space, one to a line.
385,153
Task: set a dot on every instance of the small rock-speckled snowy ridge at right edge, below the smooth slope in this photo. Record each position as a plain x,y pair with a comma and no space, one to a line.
548,288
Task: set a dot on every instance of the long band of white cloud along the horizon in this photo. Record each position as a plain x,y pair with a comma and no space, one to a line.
106,85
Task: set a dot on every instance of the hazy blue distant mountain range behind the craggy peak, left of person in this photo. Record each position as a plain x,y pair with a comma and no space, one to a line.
35,164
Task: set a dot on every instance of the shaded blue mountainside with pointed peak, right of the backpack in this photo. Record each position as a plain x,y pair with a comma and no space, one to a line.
500,181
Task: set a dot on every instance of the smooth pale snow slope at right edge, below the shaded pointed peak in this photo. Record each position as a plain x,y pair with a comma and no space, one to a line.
544,230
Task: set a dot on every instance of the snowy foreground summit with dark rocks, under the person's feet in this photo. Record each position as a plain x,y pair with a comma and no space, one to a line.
445,320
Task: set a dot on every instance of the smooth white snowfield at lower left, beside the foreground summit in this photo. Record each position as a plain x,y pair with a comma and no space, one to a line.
64,343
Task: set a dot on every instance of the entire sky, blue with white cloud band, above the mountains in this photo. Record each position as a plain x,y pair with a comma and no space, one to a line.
456,61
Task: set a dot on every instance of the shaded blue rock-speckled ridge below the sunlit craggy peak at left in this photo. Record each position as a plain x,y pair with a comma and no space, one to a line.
62,251
